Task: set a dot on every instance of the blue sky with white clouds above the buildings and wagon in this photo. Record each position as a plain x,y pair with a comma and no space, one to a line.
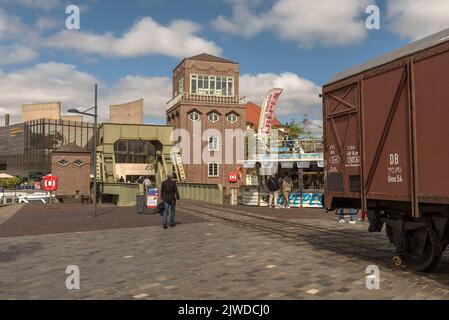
131,47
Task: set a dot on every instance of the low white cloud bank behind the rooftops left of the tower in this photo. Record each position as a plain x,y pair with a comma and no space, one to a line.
63,82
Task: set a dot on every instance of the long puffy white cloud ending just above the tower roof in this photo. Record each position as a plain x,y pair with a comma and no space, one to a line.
146,37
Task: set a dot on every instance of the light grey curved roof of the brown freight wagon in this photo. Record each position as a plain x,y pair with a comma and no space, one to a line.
420,45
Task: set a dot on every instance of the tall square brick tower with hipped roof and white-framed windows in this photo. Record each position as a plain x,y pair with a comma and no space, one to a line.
206,93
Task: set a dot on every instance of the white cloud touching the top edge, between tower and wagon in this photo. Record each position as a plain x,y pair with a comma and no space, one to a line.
307,23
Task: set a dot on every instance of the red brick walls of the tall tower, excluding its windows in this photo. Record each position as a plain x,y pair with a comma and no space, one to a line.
178,115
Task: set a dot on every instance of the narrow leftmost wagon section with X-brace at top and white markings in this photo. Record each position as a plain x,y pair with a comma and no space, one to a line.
342,151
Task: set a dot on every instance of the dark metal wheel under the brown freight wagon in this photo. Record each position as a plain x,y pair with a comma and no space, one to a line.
424,261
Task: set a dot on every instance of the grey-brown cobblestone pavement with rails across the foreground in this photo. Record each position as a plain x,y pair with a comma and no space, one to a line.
229,253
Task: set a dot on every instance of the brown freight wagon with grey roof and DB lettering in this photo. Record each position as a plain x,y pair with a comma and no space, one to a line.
387,146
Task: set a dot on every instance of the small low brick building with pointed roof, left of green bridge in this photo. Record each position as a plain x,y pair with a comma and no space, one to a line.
72,165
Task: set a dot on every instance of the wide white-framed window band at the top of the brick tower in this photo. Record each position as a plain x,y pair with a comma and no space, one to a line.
212,85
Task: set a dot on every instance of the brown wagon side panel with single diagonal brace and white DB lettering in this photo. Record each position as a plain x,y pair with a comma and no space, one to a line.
386,135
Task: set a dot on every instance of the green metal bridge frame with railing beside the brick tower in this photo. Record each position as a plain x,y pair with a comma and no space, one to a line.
166,161
